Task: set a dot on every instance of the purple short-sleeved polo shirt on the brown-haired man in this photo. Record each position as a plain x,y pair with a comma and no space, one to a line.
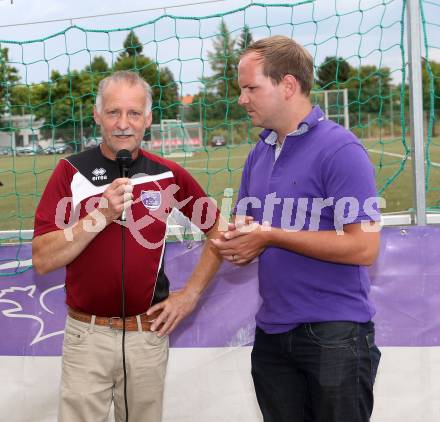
321,180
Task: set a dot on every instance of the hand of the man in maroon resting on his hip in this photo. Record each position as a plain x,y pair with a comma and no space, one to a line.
176,307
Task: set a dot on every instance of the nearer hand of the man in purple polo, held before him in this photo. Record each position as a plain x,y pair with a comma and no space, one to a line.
243,242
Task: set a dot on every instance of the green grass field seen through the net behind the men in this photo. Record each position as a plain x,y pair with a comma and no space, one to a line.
24,177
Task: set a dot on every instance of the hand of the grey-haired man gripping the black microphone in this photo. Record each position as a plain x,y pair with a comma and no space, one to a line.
117,197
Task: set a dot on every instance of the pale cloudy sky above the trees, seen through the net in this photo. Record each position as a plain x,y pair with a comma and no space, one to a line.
363,32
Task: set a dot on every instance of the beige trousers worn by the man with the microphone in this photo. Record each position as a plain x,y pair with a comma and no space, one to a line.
92,374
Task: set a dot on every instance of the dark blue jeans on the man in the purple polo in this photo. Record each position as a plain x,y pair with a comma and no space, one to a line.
317,372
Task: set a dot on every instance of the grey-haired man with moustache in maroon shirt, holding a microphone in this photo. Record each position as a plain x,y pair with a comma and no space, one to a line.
77,226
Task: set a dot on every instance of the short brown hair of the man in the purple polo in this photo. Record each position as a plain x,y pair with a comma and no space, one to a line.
283,56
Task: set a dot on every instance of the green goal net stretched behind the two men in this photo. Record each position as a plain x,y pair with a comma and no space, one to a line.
48,88
